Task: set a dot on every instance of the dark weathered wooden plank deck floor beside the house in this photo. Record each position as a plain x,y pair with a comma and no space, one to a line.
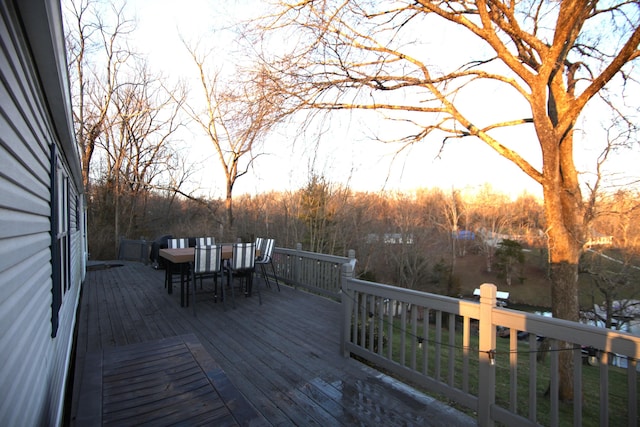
143,359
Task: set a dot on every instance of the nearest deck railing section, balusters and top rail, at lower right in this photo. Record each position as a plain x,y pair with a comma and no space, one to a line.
450,347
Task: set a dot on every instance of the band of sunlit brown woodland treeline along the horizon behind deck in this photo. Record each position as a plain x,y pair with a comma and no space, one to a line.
407,239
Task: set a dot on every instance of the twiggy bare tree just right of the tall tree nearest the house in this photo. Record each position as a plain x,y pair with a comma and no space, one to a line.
143,119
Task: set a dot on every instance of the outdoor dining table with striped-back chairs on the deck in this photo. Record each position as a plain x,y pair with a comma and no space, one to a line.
202,258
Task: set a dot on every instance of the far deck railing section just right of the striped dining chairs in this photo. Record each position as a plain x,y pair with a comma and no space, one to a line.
316,272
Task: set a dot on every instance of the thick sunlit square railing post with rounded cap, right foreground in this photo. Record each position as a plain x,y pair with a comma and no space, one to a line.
486,356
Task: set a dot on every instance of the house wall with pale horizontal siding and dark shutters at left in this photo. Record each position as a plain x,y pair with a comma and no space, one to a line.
42,215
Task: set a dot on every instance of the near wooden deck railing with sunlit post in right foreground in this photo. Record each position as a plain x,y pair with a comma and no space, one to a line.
370,324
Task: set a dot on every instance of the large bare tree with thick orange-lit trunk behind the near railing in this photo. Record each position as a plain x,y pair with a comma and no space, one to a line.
549,57
